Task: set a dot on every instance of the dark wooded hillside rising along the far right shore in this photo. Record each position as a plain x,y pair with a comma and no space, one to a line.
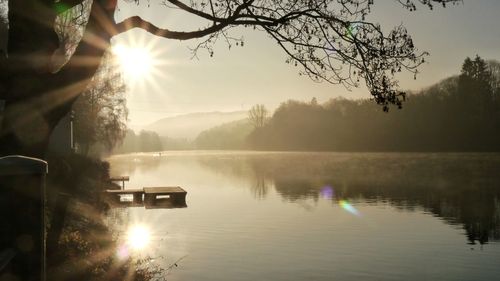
461,113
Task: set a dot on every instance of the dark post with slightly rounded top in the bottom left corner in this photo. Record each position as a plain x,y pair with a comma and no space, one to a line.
22,227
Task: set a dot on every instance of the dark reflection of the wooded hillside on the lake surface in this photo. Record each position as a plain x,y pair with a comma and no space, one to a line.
461,189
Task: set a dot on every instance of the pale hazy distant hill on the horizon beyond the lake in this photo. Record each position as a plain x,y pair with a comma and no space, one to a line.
188,126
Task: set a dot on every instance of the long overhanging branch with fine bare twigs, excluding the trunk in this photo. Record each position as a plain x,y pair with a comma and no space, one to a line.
330,39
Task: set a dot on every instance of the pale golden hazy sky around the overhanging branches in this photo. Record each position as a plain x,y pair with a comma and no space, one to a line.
257,73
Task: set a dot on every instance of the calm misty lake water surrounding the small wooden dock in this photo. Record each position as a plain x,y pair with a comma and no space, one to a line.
322,216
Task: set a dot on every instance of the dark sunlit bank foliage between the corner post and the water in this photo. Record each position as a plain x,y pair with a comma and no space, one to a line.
84,248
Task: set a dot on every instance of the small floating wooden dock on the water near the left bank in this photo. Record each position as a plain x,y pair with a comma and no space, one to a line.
149,197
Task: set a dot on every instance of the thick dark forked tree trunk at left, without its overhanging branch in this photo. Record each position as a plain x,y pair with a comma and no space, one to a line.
36,99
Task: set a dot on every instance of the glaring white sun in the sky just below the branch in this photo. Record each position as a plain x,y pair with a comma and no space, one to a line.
136,62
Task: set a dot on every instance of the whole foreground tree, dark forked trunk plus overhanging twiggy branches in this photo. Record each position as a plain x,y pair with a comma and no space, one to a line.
329,39
